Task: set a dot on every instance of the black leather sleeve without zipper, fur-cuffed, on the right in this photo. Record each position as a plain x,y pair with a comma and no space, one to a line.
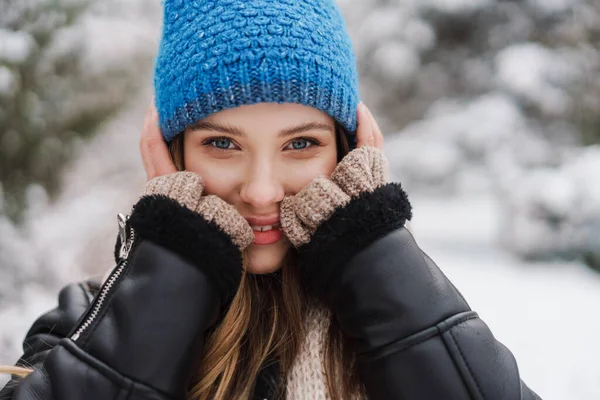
417,337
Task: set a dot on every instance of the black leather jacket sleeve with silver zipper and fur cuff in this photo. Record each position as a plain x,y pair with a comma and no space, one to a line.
142,334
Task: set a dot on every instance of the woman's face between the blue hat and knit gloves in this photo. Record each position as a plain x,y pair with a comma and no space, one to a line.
254,155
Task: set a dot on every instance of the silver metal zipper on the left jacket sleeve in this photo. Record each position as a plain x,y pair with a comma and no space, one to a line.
126,245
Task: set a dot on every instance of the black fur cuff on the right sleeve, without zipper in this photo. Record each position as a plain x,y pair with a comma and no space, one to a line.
349,230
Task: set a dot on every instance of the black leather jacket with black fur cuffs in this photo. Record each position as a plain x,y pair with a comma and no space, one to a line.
136,337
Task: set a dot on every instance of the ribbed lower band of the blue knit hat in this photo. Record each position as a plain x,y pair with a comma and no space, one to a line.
307,82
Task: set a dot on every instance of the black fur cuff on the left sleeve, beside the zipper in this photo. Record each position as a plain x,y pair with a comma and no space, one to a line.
164,221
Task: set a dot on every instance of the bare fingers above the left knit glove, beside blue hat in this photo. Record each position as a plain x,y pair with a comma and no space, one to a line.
154,150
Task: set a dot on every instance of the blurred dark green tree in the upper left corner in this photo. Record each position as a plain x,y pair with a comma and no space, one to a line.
63,70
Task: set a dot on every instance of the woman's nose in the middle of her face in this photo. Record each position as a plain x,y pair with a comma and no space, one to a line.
262,188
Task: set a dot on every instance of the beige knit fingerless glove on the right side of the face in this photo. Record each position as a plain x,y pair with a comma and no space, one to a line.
362,170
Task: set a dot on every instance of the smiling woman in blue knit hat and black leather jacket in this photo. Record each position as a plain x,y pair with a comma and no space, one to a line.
267,256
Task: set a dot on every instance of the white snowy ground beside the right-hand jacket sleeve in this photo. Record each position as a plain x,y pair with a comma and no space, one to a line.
543,312
